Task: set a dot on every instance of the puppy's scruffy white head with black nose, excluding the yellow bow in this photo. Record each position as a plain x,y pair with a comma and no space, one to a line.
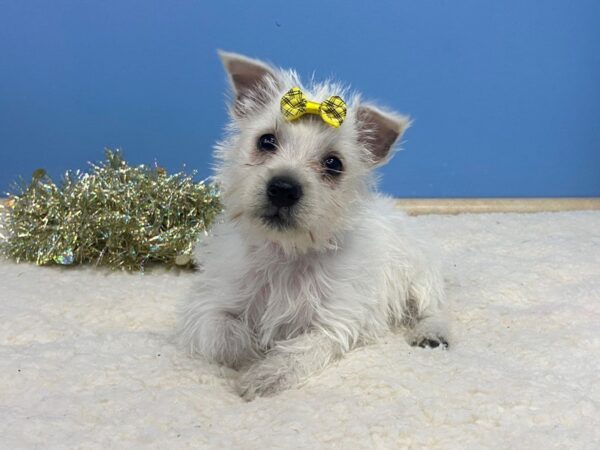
296,183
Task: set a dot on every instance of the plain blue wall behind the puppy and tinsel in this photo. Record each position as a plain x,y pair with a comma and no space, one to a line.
505,94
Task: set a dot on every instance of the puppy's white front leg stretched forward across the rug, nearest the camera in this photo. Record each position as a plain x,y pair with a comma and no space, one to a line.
288,364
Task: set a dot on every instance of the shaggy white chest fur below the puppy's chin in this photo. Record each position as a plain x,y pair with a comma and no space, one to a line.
284,298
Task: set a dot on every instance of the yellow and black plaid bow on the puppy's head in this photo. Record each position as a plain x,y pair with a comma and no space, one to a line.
294,105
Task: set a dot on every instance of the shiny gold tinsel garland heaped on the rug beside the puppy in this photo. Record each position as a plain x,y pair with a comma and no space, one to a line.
115,215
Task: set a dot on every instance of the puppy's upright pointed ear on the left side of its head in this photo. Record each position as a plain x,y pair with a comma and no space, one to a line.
247,78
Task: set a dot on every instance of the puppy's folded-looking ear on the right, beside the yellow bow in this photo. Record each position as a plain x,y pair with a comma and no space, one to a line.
378,131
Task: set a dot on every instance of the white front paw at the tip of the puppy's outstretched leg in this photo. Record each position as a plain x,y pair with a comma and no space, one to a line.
266,378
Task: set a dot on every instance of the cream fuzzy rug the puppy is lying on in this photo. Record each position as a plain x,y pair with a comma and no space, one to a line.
85,358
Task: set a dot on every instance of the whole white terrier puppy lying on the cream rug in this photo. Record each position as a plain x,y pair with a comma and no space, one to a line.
307,261
